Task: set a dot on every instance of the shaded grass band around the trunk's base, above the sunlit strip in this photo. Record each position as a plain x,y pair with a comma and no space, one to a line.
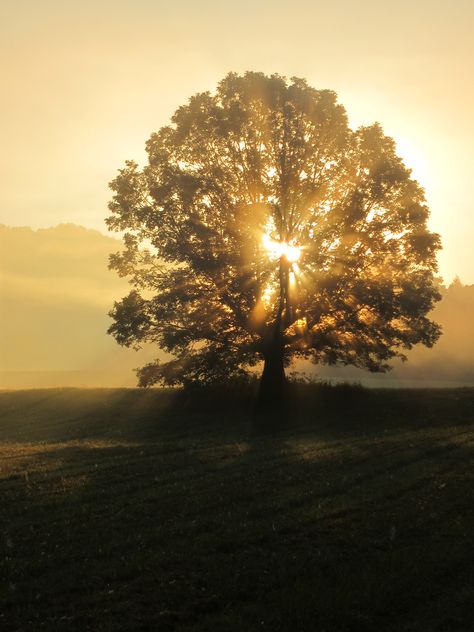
137,414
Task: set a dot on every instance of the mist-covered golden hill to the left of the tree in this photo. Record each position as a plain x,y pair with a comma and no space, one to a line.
55,292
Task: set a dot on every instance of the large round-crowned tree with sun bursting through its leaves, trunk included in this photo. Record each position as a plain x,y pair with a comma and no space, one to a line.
264,229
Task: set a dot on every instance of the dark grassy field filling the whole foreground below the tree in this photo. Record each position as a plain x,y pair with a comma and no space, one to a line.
127,510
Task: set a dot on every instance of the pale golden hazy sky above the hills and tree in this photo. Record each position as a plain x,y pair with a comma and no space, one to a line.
85,83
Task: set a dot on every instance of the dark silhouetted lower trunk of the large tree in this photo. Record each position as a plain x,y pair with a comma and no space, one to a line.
272,393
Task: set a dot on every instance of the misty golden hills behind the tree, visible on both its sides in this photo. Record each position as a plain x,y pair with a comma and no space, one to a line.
56,291
